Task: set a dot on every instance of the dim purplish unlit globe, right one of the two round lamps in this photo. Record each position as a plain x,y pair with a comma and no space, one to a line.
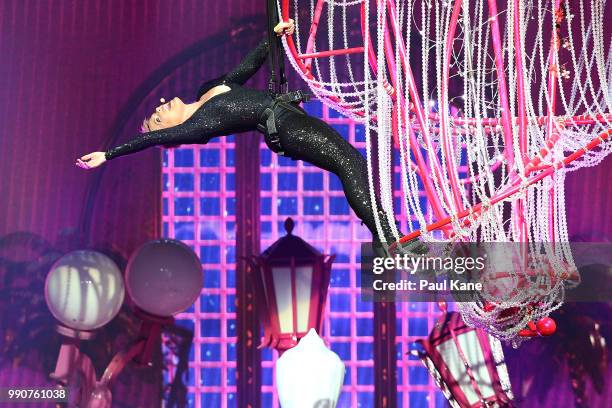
164,277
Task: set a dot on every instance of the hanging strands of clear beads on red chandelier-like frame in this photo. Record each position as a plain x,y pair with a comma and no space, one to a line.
520,92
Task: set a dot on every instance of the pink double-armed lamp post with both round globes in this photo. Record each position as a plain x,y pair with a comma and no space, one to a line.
84,290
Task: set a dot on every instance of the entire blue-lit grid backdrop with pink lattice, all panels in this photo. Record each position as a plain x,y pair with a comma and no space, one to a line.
199,209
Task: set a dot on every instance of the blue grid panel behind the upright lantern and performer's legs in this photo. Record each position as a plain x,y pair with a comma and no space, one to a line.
315,200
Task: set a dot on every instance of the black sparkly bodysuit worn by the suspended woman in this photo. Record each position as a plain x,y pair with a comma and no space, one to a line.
302,137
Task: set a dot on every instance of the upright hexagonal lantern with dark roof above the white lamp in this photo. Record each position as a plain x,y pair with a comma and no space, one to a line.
292,279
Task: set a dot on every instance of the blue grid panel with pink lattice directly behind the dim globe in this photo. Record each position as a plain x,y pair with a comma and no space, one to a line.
199,209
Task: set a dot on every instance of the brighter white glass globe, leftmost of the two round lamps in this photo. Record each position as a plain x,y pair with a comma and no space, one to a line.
84,290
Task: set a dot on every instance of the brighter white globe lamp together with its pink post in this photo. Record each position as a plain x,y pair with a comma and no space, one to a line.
84,290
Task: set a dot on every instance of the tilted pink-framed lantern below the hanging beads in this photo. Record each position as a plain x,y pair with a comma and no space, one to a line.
466,363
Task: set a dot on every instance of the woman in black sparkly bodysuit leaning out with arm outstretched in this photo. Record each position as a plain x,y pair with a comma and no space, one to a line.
224,106
